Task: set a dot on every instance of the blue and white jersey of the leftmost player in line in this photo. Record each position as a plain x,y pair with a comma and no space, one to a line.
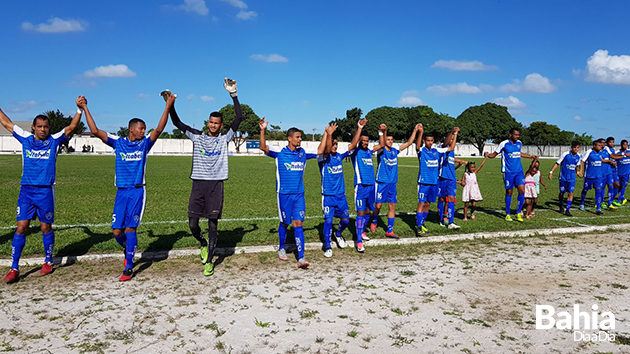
39,157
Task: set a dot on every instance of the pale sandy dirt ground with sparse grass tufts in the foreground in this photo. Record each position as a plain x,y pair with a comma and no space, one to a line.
470,297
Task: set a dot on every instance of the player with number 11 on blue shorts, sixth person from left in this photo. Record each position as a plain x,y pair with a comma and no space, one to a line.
364,194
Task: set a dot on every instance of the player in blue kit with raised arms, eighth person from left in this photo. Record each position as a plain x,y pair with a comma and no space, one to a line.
429,158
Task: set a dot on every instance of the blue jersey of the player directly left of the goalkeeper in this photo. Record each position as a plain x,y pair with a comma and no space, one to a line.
131,160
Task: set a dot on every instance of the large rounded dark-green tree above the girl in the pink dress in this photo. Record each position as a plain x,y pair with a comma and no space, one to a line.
489,121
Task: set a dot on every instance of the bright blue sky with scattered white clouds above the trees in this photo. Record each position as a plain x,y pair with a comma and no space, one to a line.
304,63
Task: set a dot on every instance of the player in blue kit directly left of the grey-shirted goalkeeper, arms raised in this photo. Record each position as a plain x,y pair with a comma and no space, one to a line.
131,160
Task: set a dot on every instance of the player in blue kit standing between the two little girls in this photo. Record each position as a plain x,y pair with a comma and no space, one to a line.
512,169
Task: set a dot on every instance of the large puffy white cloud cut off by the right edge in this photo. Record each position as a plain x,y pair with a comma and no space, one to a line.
608,69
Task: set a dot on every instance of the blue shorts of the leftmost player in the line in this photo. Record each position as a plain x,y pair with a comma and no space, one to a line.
36,199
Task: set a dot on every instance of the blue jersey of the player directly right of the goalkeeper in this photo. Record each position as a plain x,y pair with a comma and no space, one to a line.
290,169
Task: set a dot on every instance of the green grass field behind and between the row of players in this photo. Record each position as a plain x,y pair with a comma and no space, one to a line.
85,197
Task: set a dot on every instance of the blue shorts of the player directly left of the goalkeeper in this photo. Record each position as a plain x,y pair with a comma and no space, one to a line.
128,207
